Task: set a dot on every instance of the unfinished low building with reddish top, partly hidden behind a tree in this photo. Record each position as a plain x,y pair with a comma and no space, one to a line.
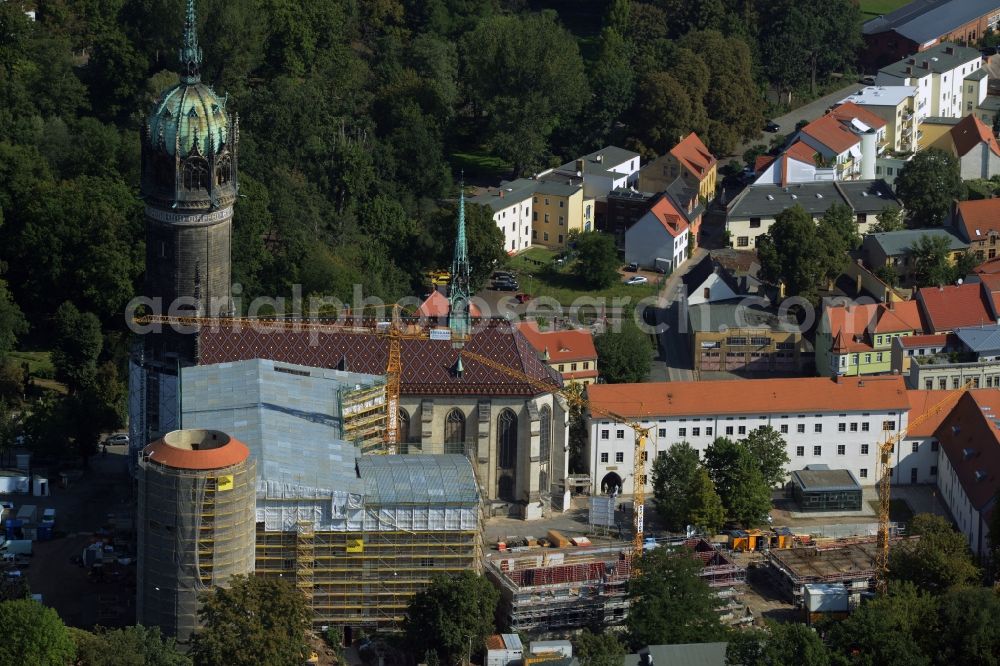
549,590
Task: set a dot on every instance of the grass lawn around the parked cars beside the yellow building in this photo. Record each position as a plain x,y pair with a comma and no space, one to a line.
539,275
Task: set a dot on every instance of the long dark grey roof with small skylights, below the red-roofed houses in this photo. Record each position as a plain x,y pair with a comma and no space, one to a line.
863,196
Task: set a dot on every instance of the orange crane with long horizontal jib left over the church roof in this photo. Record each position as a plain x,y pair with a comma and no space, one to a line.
394,330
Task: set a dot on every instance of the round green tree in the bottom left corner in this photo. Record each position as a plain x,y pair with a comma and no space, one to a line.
33,635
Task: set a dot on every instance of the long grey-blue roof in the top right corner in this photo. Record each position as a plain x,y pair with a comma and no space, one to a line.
924,20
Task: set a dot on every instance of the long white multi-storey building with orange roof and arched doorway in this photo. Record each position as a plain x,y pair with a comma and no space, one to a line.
837,422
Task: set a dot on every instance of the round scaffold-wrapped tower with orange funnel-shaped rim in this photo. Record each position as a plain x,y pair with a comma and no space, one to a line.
194,527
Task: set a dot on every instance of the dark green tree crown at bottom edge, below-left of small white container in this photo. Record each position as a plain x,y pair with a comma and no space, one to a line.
778,645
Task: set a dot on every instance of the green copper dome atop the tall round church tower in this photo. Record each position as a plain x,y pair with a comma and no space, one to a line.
189,114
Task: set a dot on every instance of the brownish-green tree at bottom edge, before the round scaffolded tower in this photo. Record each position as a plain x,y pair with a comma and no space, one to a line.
253,621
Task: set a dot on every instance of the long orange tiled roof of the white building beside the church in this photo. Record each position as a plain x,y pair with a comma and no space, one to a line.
758,396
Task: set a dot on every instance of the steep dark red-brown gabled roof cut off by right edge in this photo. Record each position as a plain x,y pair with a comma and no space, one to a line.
970,437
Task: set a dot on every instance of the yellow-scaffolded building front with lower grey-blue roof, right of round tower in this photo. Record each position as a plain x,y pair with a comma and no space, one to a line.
415,516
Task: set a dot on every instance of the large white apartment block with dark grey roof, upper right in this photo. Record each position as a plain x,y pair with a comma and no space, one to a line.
946,79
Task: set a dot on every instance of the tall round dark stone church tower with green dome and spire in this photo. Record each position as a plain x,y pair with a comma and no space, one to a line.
189,183
